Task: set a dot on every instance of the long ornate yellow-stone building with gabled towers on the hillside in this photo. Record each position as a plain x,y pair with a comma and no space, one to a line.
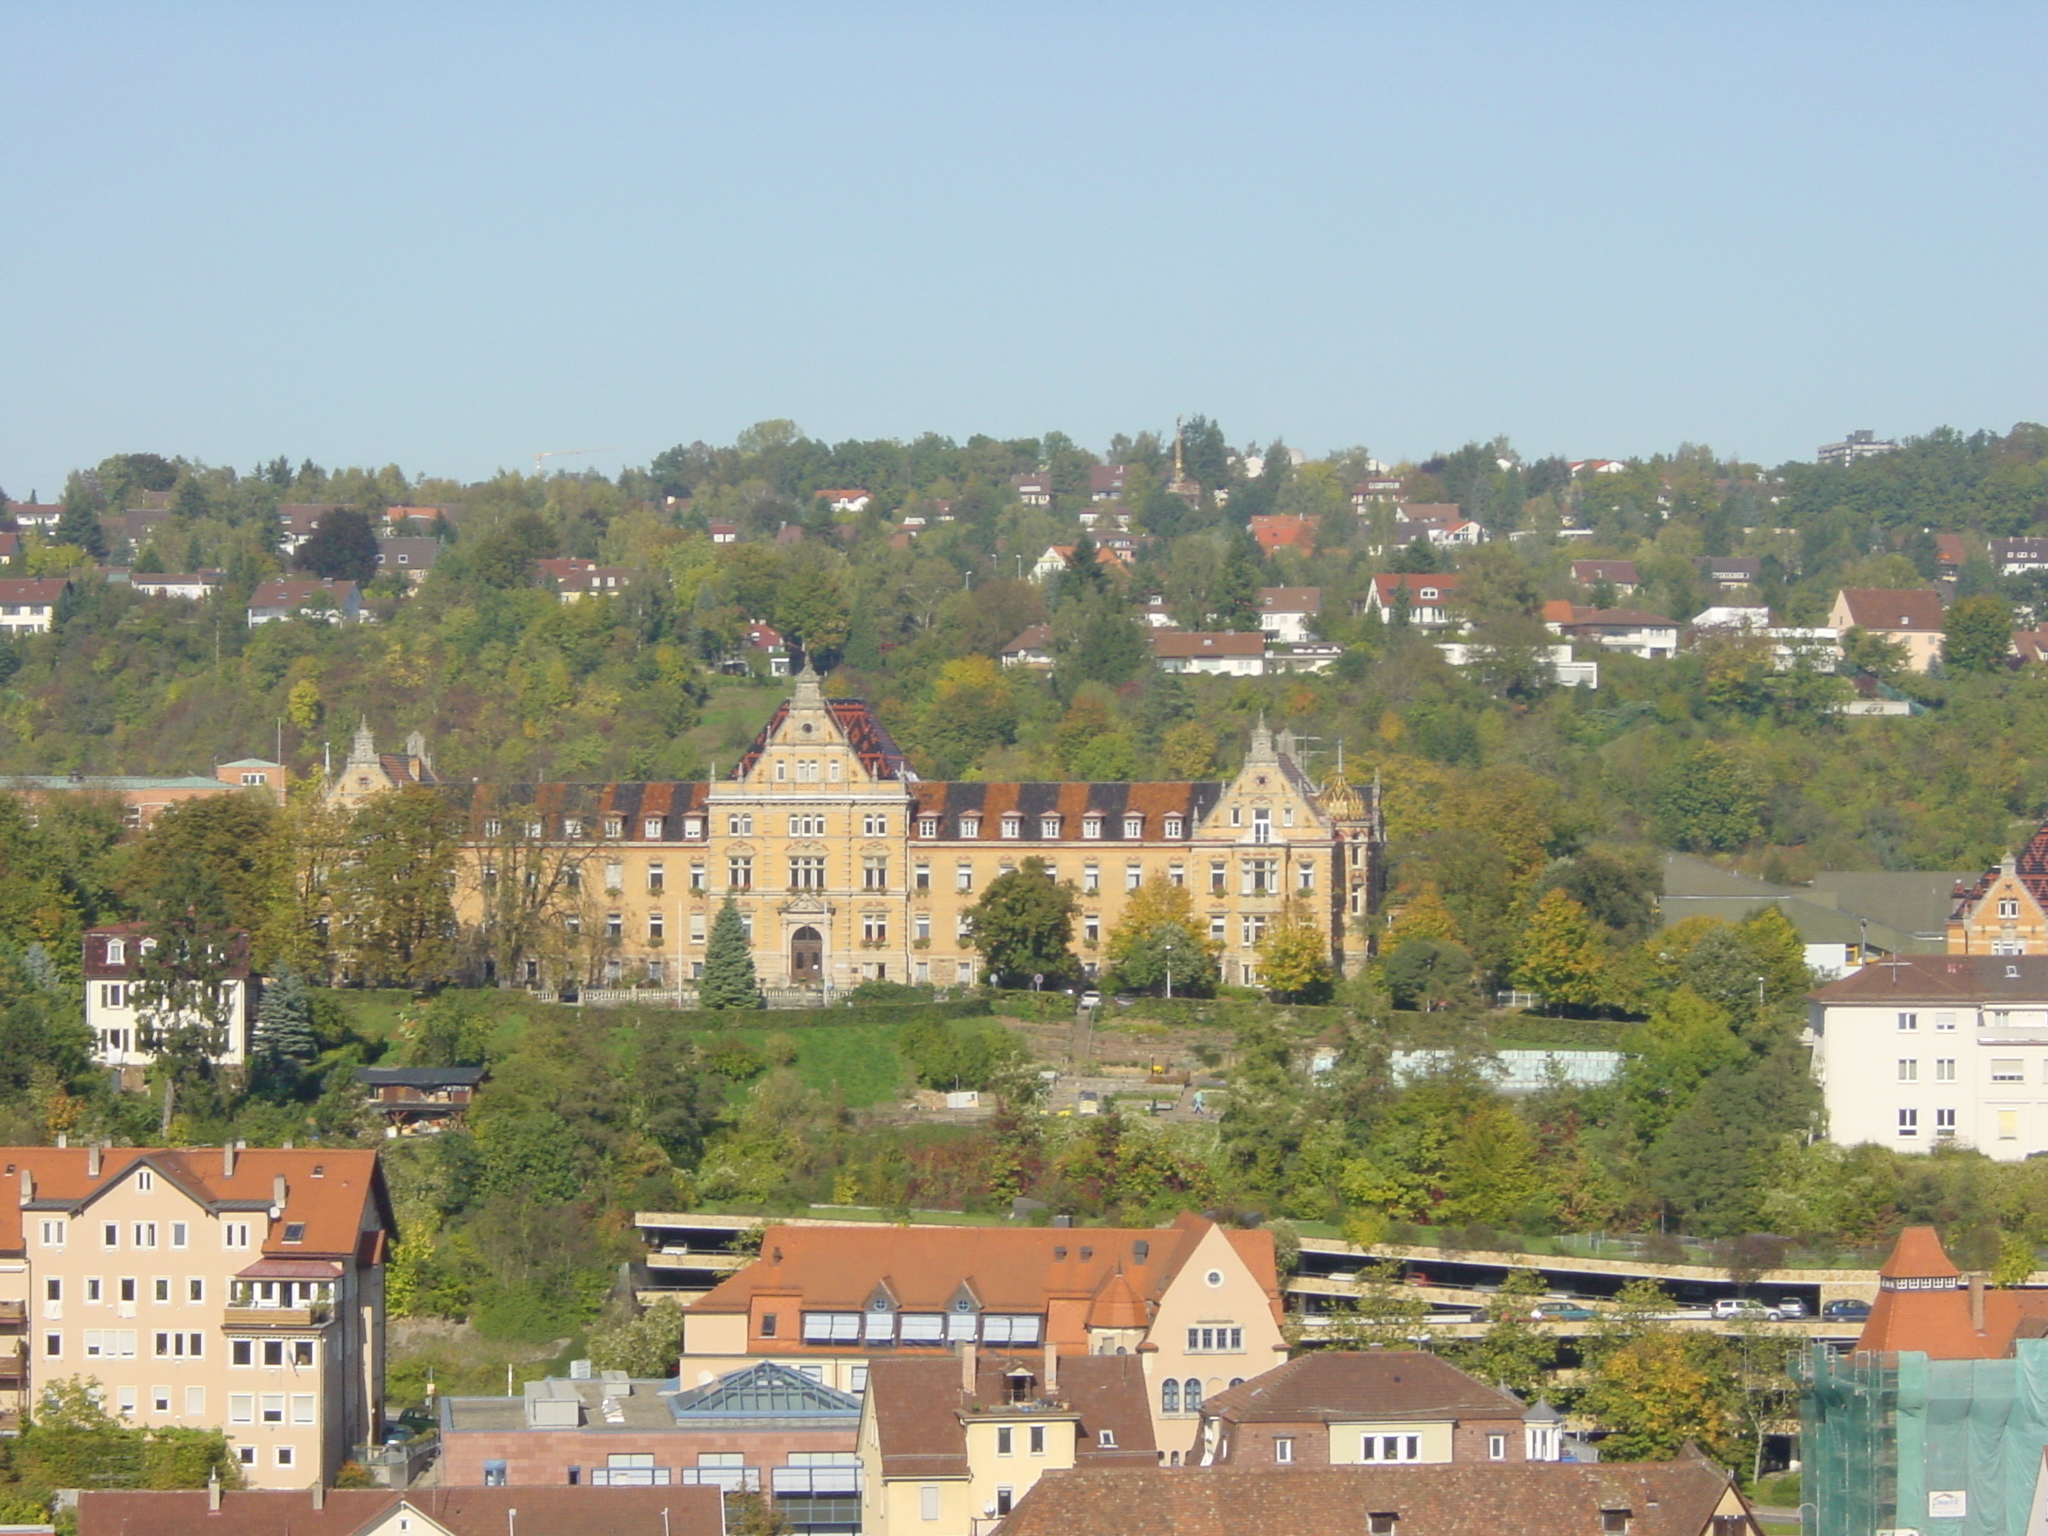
847,867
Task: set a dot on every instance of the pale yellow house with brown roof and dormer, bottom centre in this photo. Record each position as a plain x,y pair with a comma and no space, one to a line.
949,1445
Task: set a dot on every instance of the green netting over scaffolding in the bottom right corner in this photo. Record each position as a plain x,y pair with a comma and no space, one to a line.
1893,1443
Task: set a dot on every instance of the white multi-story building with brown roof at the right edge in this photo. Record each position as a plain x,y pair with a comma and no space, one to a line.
1934,1050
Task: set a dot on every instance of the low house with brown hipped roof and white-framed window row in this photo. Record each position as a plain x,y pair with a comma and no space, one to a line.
1342,1408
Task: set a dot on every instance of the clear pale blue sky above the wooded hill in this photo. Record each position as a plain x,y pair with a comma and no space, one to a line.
450,237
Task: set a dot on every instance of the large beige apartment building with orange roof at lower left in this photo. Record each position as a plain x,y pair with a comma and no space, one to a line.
206,1289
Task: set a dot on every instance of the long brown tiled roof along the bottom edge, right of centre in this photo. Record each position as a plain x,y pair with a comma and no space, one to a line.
1680,1498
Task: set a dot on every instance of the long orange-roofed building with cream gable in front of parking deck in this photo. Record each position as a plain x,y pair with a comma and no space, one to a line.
1195,1304
